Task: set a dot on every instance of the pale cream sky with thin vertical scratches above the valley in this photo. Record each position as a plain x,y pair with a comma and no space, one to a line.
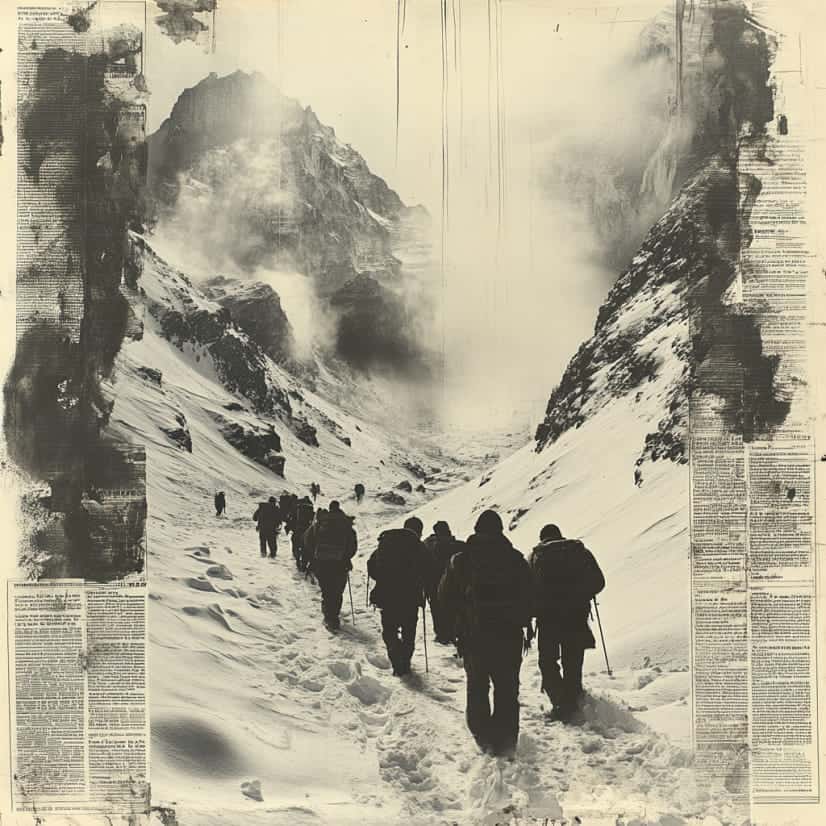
521,290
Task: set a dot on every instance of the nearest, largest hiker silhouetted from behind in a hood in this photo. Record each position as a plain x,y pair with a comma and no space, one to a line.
486,596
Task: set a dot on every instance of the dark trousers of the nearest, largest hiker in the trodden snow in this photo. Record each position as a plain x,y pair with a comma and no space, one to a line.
494,659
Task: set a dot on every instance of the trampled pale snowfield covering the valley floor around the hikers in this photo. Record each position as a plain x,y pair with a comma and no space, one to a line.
259,715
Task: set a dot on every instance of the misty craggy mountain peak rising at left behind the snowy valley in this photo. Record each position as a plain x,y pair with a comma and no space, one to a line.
260,182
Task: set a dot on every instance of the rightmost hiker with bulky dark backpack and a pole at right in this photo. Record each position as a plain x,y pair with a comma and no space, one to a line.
566,578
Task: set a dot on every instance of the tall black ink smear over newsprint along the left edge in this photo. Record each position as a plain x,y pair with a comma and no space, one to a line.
56,408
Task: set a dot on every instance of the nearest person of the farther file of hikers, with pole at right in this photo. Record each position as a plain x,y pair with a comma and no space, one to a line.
332,545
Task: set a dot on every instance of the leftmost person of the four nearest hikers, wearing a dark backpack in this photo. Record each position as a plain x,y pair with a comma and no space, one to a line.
399,565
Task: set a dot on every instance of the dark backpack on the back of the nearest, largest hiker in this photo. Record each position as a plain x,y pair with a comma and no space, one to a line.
494,594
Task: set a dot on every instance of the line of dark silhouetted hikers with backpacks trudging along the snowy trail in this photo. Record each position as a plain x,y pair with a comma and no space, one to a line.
484,597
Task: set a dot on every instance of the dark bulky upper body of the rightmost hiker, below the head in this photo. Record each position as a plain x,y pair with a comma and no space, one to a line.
566,578
